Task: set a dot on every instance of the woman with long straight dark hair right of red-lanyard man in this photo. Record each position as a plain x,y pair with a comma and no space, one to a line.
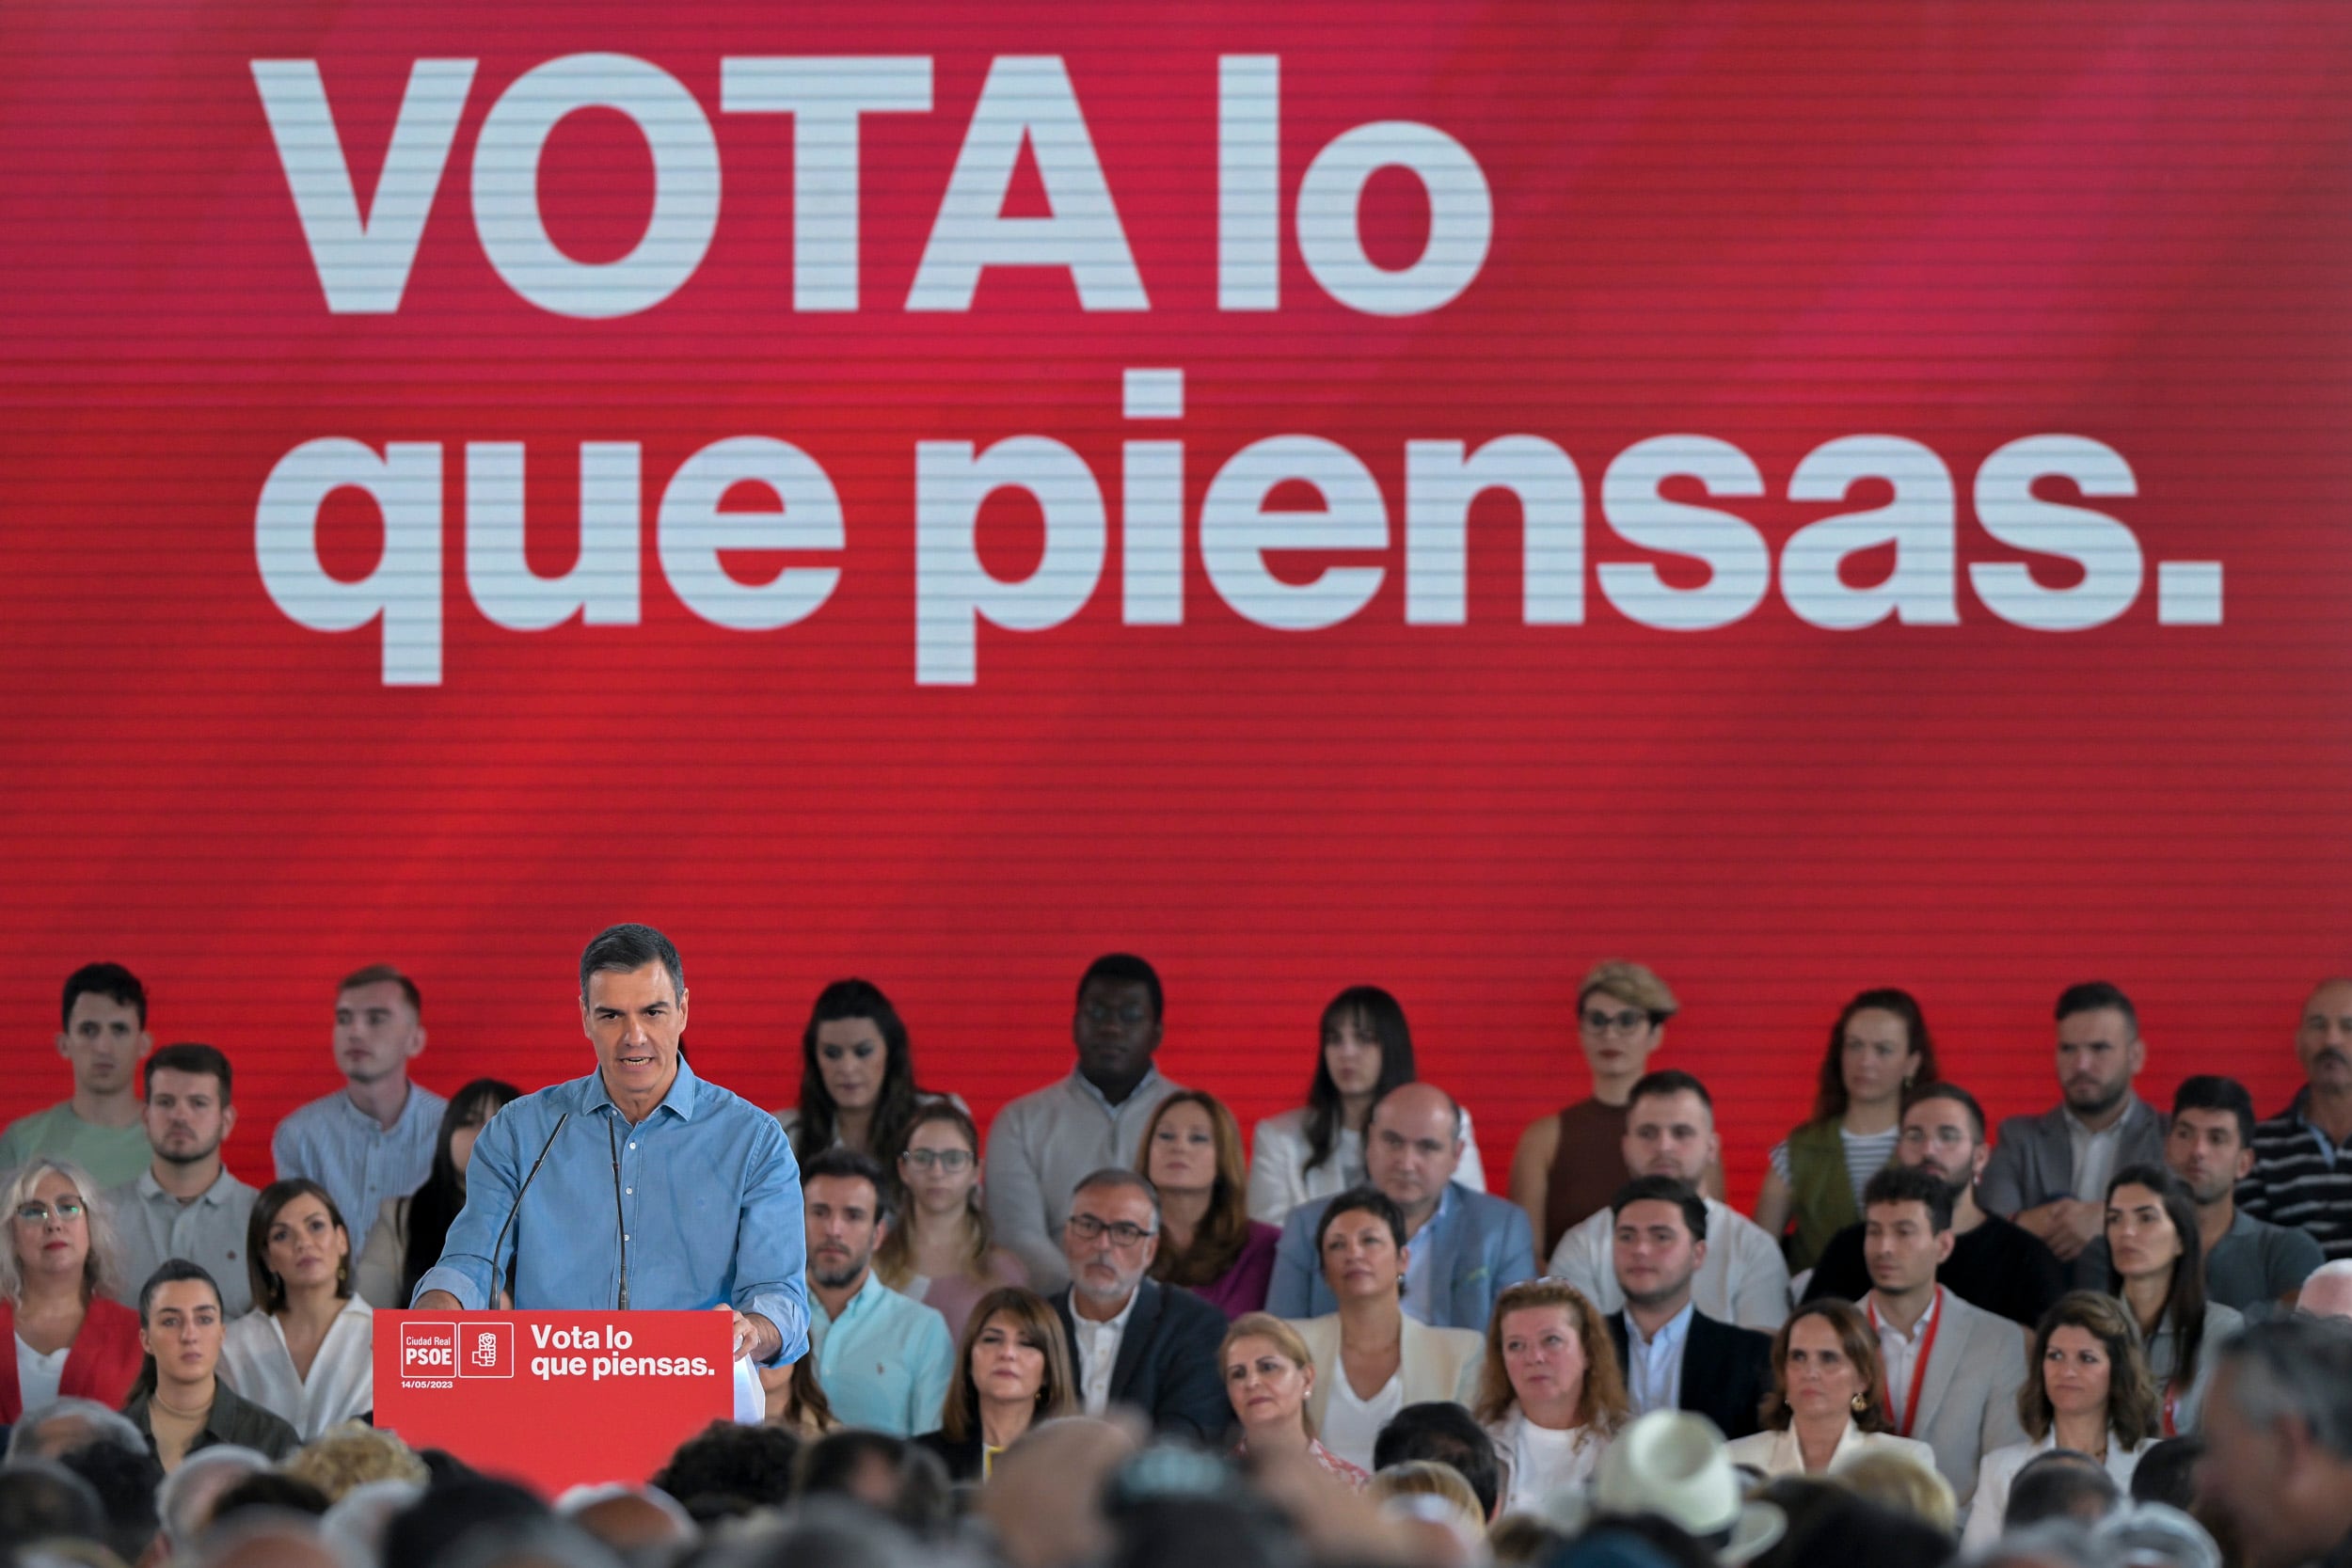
2160,1275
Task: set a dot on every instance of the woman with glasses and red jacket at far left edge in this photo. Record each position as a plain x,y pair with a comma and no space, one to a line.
62,1261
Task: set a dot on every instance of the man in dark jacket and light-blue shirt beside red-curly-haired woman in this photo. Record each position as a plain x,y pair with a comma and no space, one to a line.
1683,1360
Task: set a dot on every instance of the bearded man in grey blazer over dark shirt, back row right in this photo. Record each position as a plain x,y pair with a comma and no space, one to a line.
2050,1172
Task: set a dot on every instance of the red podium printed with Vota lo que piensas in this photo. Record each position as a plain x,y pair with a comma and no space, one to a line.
554,1398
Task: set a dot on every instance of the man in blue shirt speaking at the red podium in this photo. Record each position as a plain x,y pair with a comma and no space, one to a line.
639,1186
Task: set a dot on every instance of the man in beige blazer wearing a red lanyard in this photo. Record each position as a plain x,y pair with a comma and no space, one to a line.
1953,1372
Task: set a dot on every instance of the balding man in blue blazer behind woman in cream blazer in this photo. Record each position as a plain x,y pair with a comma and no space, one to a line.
1462,1247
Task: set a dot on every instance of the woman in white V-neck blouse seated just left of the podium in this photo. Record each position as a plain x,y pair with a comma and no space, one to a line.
307,1348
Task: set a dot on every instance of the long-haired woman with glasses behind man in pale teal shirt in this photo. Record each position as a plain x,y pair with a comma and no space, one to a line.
940,1249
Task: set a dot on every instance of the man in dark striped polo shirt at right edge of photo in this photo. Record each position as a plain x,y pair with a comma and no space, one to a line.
2304,1155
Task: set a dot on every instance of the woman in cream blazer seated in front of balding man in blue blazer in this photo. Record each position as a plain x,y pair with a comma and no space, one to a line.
1370,1358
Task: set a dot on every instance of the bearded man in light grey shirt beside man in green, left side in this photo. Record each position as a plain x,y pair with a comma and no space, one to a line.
187,1205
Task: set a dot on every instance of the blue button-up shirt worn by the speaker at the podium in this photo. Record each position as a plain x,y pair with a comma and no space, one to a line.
707,1198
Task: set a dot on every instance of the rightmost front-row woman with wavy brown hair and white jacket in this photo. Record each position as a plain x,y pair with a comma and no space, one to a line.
2087,1393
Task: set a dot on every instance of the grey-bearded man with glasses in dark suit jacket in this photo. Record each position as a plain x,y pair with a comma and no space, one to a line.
1158,1341
